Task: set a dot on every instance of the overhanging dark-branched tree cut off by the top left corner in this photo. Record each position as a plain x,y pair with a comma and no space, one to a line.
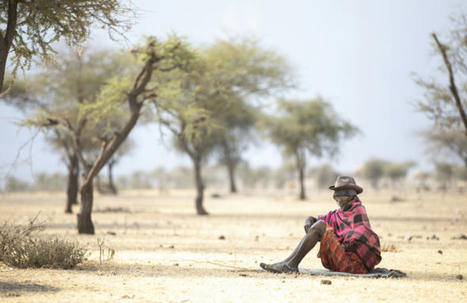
29,28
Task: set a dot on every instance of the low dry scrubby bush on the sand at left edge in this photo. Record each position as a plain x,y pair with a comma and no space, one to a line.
19,248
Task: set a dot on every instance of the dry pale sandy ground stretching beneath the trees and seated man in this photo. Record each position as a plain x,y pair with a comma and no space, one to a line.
165,253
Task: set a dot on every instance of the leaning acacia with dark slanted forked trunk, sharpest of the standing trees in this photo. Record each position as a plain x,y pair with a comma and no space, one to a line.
122,95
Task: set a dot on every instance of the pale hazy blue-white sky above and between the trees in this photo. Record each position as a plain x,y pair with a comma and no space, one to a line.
359,55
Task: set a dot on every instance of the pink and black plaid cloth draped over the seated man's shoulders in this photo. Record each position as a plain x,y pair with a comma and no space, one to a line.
353,230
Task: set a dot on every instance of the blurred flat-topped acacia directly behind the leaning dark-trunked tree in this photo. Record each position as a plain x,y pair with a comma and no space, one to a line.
60,88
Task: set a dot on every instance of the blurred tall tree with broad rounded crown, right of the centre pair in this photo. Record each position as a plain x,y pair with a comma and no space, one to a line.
243,71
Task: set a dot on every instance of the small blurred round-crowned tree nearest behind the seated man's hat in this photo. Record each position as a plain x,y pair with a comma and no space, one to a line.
307,127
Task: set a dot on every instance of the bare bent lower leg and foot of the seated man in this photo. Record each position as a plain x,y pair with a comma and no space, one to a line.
290,264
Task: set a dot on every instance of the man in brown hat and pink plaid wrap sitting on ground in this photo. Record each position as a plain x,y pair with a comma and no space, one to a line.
348,244
